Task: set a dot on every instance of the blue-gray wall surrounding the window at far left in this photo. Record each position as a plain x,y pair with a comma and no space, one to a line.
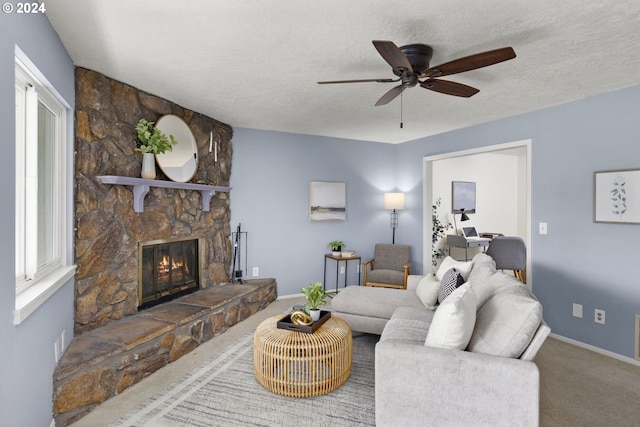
27,350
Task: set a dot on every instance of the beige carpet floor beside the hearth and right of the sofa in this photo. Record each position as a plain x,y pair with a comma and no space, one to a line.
578,387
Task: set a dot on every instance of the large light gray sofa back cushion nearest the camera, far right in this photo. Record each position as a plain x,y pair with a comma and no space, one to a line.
506,323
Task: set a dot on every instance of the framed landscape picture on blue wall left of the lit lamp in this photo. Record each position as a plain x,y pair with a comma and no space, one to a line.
327,201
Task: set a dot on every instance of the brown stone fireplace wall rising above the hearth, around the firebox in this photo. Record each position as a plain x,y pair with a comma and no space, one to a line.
108,230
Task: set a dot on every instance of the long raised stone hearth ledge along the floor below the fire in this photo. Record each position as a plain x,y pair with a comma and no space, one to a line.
103,362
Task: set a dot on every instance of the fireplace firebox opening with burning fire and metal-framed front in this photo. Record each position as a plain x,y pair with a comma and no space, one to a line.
167,269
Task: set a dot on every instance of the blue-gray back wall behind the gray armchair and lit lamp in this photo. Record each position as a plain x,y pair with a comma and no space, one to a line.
269,197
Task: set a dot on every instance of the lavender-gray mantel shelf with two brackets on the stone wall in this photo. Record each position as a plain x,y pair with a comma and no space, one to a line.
142,186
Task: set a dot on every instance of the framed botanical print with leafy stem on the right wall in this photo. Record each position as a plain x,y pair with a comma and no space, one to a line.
616,196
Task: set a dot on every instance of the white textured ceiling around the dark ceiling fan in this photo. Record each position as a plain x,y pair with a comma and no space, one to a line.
255,63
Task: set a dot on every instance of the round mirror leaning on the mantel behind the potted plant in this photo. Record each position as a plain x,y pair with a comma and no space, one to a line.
181,163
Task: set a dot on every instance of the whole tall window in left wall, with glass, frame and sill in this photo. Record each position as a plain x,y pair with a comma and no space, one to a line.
41,191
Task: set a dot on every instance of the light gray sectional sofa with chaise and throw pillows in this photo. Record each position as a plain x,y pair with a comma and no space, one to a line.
465,361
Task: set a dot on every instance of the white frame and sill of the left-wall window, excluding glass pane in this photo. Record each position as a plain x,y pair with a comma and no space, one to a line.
35,284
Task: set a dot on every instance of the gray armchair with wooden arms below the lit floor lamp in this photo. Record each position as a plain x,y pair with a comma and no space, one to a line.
390,266
